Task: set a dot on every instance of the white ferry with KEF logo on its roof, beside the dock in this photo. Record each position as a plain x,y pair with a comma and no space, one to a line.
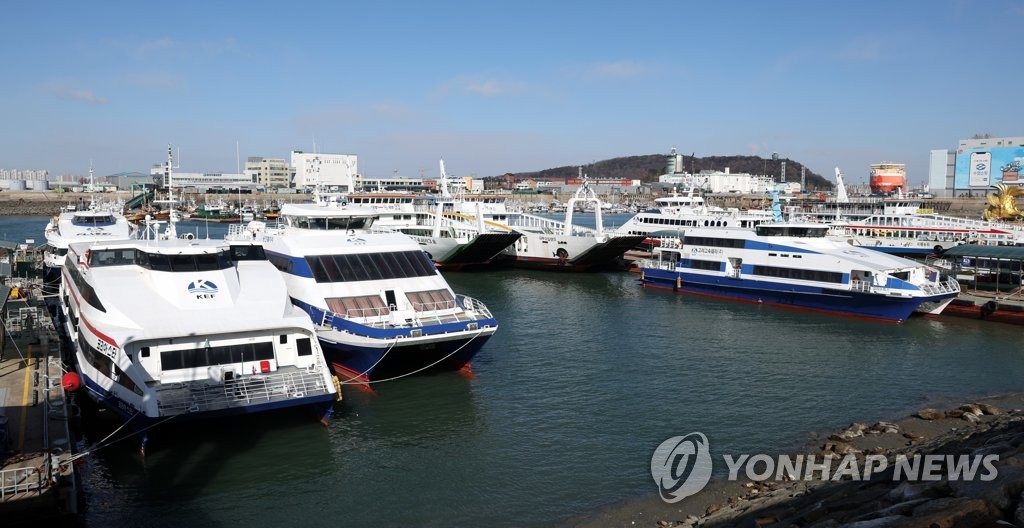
179,329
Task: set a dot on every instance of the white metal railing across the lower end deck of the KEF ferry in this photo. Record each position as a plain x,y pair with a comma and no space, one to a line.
248,390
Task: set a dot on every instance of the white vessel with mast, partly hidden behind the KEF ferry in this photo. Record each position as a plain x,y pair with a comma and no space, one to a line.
98,223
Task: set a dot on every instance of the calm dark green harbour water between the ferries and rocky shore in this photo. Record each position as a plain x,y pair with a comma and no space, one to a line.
585,377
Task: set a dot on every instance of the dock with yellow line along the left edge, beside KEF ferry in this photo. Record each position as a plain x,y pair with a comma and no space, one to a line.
37,480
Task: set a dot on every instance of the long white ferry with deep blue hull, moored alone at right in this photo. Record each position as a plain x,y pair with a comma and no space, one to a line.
794,265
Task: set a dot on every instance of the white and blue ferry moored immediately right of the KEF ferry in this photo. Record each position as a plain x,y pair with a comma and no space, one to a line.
379,303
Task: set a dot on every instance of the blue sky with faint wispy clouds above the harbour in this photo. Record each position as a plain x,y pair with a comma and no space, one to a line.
504,86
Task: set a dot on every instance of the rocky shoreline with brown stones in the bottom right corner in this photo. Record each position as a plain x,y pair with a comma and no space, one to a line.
990,427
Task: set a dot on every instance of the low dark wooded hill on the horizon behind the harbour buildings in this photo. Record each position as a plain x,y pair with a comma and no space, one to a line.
649,168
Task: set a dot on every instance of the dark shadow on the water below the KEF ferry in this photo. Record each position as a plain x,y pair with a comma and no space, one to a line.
187,466
